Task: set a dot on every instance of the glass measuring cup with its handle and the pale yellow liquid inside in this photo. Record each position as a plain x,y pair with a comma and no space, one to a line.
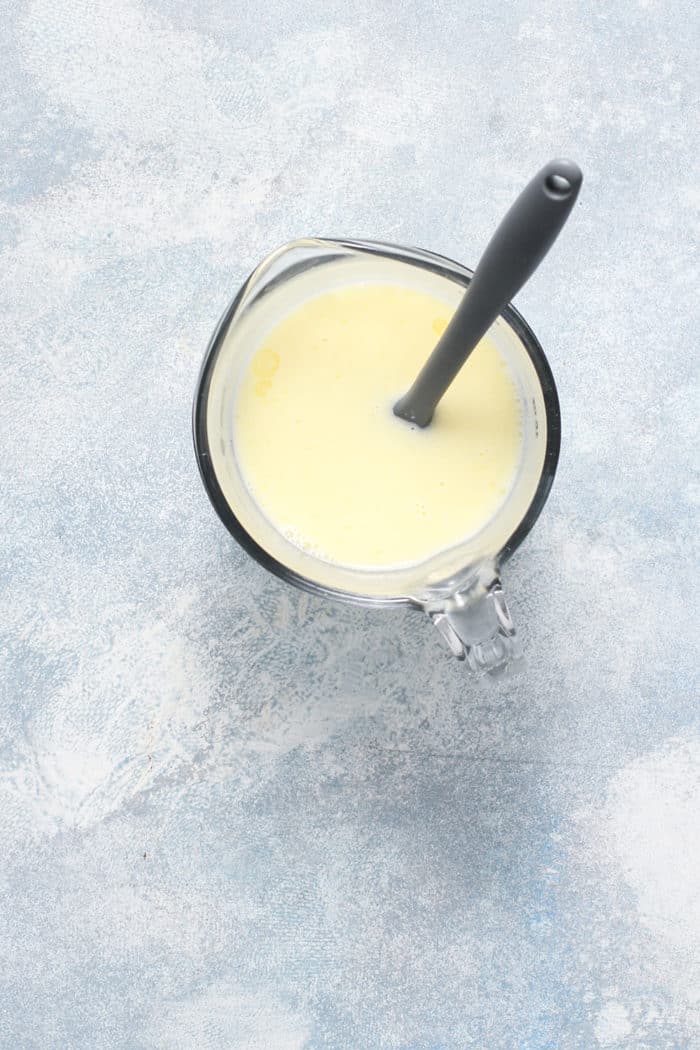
308,467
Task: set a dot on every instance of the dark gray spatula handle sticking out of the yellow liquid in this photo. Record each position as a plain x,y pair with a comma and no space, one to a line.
515,253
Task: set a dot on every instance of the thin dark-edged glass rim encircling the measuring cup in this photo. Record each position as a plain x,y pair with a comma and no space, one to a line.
444,267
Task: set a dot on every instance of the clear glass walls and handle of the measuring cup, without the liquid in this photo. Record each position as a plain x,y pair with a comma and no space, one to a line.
460,589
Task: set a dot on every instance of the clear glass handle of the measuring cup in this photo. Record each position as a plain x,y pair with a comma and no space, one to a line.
476,626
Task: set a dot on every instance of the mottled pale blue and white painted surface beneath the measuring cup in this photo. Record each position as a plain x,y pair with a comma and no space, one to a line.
231,816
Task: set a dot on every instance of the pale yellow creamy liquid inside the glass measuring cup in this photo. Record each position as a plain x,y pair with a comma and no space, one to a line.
329,464
